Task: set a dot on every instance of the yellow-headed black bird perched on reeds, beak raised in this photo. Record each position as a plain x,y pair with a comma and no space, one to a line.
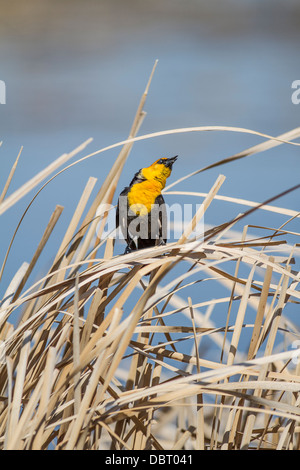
141,211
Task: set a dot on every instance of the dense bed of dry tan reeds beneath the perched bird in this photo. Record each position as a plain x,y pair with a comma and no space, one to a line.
125,352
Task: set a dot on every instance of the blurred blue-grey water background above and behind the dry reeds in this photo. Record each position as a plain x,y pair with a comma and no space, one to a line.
77,69
